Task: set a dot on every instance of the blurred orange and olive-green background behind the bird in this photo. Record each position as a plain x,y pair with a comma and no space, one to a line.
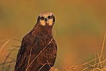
79,29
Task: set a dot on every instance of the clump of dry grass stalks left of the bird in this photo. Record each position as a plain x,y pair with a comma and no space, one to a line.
8,60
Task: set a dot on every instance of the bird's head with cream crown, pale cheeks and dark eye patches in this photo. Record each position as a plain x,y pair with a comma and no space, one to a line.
46,19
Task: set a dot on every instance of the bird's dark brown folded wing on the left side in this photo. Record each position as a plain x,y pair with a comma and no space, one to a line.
24,52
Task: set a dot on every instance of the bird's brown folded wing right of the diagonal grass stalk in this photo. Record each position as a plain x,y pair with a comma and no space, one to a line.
47,57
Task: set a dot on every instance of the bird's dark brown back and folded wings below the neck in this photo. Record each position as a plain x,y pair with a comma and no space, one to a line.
30,48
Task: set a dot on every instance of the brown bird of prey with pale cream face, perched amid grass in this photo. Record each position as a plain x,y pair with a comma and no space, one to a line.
38,48
